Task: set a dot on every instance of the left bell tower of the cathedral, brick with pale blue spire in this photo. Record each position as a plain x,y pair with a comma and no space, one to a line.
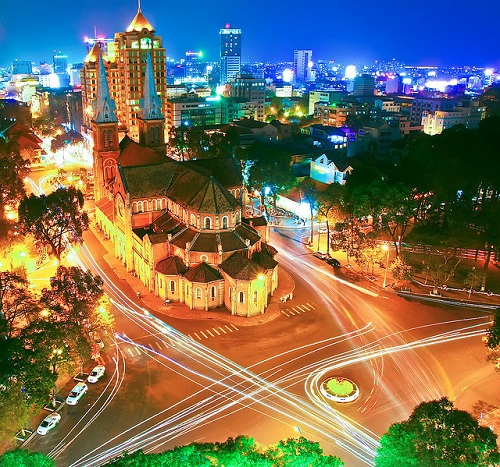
105,134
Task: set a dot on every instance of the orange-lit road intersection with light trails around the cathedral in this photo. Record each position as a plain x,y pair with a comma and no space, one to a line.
167,388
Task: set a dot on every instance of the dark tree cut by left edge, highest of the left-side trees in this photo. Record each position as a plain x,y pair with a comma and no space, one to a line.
13,169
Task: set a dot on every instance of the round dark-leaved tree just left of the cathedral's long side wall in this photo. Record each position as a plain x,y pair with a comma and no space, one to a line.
55,220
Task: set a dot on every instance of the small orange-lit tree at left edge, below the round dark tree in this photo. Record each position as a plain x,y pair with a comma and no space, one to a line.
18,306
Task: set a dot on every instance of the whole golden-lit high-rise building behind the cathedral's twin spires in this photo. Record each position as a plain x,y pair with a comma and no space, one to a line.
126,65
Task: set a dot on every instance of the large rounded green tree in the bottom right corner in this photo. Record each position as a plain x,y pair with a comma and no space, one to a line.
437,434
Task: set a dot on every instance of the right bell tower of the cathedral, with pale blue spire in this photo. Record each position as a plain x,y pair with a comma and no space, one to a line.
151,120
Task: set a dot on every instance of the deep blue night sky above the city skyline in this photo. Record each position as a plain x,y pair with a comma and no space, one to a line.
425,32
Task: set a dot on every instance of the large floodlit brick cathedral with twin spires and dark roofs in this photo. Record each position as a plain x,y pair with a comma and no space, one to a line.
178,226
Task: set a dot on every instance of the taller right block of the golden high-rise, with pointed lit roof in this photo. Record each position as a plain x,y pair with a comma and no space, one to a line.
130,56
